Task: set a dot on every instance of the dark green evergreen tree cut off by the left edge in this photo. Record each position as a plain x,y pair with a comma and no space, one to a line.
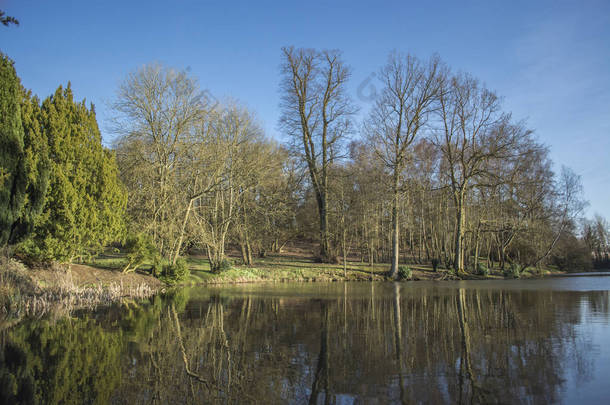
12,164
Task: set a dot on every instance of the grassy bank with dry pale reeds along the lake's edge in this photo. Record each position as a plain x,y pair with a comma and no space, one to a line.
35,290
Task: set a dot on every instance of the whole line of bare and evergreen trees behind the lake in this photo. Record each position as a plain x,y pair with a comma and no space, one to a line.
436,172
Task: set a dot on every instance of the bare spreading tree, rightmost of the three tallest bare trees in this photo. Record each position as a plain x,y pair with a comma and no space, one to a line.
474,131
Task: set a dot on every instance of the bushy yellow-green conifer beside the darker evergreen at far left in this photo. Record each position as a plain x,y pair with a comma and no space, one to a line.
85,201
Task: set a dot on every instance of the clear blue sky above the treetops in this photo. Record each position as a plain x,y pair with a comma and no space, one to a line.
549,59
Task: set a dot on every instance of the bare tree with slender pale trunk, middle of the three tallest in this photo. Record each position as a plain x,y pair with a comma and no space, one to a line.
409,95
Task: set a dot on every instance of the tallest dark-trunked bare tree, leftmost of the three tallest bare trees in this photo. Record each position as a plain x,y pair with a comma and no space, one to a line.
316,113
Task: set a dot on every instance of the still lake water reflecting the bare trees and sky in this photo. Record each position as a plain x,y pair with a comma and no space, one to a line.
535,341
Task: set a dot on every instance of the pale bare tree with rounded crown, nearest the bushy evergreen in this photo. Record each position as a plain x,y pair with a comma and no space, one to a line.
157,108
